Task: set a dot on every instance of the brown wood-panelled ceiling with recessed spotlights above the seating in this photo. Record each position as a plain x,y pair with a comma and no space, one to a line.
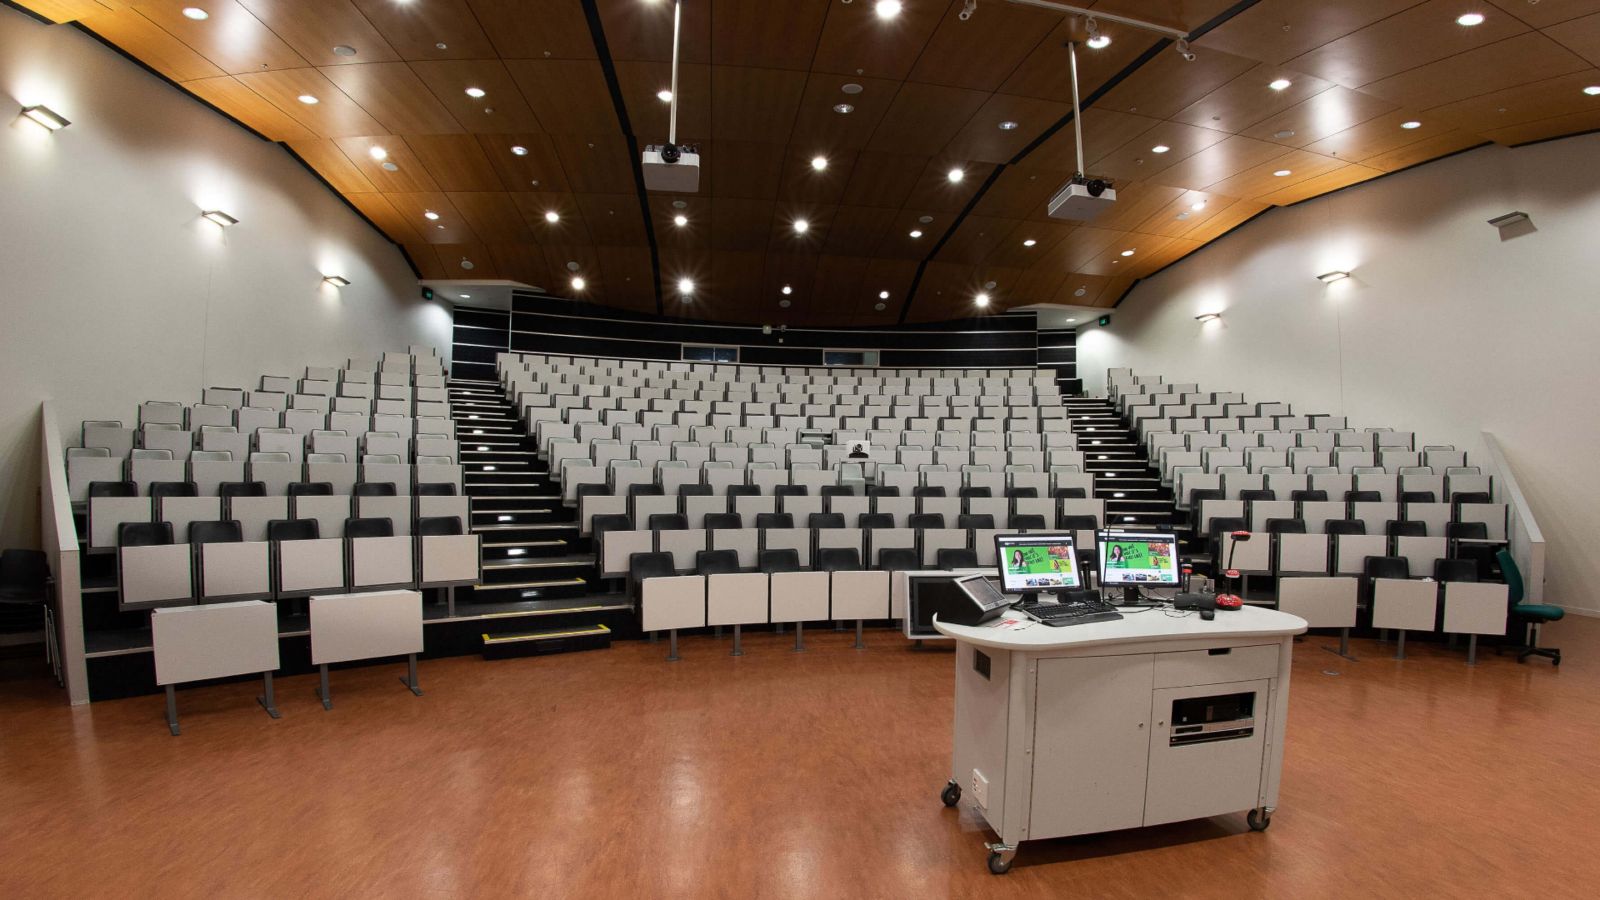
759,86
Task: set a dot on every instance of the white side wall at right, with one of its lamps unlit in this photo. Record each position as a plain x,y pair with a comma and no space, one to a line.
1444,329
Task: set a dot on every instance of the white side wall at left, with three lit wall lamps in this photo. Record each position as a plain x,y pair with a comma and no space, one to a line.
114,289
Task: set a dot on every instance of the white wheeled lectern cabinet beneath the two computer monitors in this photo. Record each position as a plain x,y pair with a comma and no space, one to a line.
1119,725
